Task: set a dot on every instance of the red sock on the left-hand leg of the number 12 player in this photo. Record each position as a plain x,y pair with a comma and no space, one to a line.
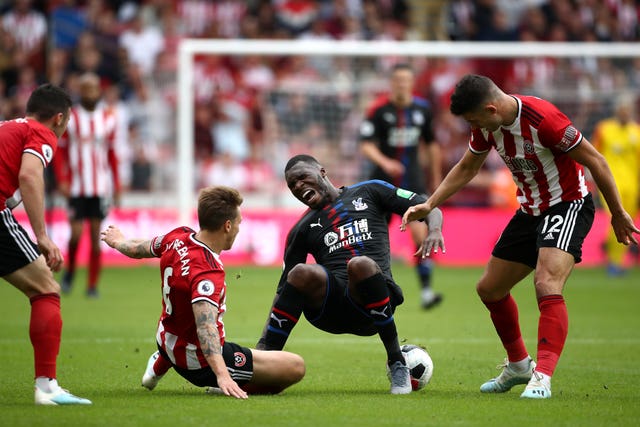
504,314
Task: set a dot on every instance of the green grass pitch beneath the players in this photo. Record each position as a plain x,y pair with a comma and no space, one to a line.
106,343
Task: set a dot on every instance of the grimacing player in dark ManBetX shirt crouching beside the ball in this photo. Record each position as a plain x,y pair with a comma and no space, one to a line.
350,289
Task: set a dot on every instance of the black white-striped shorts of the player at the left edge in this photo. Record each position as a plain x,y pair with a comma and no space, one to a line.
16,247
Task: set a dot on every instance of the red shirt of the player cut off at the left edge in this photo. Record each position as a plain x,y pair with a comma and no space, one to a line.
21,136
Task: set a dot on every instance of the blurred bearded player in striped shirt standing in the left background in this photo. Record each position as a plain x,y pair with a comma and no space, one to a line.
87,171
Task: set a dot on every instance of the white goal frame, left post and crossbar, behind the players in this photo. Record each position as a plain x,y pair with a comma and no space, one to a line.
190,47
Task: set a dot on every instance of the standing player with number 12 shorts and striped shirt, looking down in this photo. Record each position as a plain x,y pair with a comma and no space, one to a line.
545,154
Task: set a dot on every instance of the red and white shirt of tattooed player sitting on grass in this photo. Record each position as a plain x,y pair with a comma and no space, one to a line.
191,272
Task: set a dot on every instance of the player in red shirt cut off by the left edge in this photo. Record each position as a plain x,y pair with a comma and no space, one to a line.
28,145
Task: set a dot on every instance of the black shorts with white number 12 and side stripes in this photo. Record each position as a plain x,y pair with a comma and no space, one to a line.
563,226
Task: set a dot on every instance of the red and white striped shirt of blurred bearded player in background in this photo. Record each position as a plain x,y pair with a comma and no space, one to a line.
87,159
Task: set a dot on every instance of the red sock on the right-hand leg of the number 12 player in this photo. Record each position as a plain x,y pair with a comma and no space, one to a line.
553,327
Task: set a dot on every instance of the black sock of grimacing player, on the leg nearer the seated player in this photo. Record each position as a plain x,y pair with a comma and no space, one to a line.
284,316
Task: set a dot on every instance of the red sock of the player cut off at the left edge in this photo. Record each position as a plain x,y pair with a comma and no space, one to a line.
45,330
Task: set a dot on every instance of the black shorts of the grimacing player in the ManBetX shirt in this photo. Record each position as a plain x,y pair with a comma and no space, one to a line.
340,315
